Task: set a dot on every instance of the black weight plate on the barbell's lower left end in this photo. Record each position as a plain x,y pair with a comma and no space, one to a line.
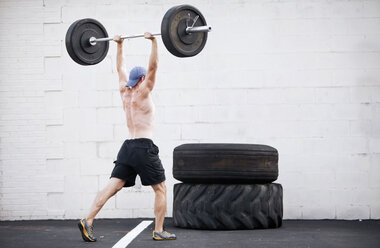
78,45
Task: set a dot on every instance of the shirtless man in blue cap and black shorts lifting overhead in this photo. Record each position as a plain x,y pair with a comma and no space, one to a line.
138,155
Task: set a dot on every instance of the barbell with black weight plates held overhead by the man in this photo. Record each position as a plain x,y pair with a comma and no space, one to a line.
183,30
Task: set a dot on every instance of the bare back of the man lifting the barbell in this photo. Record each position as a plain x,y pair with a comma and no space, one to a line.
139,109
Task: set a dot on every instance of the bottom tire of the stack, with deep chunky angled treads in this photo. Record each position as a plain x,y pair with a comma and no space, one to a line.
230,207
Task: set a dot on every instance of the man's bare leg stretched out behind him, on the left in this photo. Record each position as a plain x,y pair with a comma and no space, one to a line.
113,186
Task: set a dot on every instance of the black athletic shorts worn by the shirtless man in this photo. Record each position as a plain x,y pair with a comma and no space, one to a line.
139,157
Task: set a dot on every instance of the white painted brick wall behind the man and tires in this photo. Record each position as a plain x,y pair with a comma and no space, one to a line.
302,76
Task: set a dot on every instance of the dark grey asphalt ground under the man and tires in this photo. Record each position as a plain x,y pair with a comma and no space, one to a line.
294,234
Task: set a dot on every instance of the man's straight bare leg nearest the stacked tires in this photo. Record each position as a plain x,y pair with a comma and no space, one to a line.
159,205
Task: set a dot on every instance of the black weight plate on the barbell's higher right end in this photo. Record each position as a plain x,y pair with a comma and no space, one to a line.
178,42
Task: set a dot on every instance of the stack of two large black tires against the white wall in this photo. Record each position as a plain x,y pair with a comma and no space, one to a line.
226,187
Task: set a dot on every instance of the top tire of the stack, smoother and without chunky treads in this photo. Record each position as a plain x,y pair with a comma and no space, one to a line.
225,163
